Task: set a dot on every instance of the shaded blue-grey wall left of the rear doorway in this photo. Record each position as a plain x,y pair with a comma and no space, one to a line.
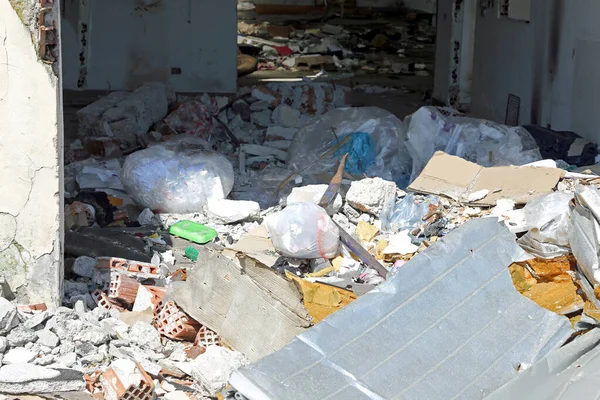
121,44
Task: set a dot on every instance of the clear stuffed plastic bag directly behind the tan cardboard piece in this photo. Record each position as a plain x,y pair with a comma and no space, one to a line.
483,142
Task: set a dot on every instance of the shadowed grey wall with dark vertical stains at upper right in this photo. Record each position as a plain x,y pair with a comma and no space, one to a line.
549,62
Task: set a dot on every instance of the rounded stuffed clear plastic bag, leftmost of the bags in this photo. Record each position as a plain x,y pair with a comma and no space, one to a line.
178,176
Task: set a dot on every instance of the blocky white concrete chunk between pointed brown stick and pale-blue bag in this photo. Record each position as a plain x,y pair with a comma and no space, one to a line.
371,194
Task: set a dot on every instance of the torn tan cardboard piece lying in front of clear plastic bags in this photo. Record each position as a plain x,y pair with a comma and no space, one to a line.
460,179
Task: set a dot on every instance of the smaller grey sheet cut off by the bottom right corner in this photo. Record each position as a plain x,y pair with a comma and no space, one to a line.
571,372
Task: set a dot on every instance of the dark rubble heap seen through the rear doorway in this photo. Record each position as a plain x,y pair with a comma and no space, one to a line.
382,47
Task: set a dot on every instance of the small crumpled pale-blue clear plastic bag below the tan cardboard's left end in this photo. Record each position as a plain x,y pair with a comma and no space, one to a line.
406,214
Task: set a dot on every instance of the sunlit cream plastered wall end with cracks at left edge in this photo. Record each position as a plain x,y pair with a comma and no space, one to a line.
30,162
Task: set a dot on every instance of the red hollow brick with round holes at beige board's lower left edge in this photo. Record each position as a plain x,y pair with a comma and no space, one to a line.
172,322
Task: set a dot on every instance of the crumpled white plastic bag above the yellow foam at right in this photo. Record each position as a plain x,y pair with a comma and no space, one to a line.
548,221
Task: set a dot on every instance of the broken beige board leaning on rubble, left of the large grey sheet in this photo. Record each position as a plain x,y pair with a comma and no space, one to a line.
254,309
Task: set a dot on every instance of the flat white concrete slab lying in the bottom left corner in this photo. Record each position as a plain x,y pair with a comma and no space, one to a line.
31,379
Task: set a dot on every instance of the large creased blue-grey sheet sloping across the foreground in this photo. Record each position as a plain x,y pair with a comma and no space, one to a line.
448,325
